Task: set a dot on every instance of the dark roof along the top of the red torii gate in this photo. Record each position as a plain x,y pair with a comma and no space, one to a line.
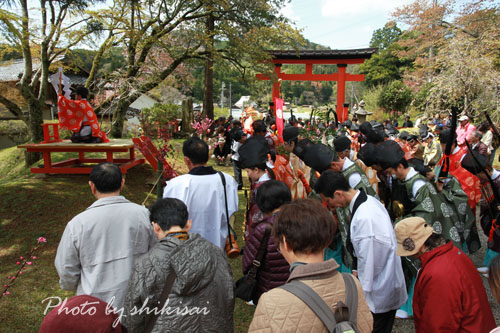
323,54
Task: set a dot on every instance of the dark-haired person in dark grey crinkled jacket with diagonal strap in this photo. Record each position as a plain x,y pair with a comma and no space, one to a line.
201,298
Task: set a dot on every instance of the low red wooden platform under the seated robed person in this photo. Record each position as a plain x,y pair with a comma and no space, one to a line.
74,165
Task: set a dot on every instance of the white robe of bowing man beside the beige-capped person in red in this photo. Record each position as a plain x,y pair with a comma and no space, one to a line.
379,268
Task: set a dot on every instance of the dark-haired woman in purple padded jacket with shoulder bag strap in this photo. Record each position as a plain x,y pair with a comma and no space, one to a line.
274,269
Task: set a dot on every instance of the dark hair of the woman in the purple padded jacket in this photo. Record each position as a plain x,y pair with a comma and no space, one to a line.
272,195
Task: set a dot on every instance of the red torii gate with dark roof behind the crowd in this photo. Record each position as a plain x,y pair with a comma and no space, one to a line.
341,58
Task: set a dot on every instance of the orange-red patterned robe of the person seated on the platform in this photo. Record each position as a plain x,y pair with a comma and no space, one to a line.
72,113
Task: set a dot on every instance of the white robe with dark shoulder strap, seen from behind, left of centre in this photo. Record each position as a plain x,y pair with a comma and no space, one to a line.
204,198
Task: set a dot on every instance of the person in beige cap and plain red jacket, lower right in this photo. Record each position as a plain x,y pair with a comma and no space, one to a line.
449,293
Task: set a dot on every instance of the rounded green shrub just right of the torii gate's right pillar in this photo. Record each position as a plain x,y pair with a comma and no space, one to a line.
395,96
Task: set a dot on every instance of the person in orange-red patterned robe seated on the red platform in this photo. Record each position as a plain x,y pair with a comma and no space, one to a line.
79,117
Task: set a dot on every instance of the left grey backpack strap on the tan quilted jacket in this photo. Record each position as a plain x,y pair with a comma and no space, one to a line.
314,301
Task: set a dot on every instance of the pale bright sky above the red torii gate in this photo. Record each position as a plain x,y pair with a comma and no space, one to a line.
341,24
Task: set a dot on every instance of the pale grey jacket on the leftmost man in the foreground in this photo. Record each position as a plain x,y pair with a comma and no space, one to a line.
99,246
